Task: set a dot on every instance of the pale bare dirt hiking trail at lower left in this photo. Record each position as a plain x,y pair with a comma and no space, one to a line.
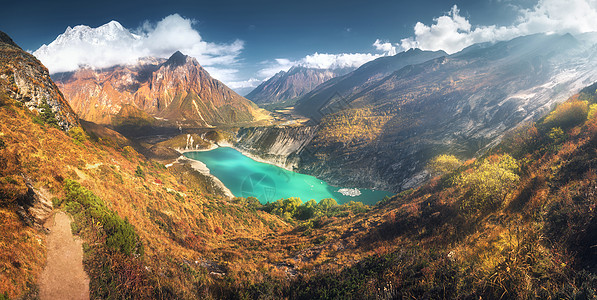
63,276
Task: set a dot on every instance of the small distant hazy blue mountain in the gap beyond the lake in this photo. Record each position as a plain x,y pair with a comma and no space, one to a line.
291,84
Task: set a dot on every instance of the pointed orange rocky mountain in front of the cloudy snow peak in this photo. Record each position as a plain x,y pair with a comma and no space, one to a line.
177,91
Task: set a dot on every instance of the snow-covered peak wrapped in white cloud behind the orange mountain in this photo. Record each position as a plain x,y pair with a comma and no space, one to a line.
112,44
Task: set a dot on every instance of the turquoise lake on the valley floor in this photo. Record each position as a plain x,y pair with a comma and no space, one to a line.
246,177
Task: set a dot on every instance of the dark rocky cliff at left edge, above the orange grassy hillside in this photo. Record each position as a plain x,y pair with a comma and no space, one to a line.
24,78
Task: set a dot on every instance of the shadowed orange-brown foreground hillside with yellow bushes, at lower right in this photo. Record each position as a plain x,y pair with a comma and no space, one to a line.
448,239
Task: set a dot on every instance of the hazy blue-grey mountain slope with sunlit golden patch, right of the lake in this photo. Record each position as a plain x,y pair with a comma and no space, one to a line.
388,130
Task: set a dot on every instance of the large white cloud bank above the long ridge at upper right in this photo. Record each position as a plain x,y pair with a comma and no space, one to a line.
452,32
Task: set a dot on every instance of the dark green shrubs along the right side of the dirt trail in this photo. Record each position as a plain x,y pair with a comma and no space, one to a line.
113,250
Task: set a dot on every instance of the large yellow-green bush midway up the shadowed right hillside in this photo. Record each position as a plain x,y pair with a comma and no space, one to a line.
487,186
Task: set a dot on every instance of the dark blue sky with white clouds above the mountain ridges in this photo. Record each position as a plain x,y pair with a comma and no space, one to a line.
258,38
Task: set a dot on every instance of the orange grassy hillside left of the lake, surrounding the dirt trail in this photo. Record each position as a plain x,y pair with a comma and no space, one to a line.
149,231
